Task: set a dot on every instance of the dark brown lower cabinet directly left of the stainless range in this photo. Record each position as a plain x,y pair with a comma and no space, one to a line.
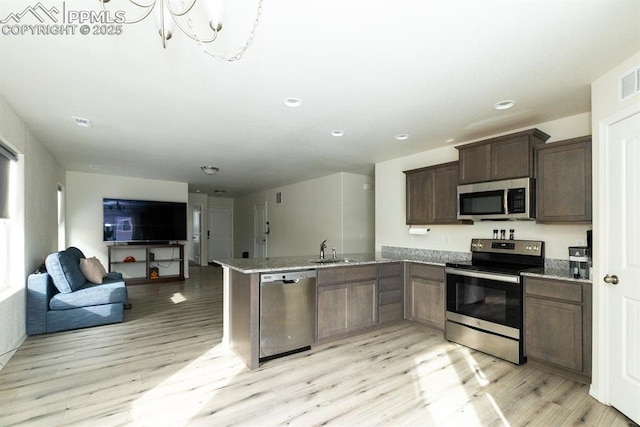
425,288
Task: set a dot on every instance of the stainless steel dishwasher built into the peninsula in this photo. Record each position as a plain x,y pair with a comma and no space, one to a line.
287,312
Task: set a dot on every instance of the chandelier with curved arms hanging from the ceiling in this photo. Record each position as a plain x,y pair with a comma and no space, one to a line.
177,14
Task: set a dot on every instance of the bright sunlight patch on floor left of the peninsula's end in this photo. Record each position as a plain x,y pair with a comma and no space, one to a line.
181,396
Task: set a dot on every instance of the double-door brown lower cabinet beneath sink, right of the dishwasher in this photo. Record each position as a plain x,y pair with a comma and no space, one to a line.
347,300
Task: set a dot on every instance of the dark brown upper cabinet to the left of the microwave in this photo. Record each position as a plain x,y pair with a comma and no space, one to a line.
431,194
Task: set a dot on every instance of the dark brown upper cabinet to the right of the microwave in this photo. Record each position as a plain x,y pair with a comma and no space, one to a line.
563,181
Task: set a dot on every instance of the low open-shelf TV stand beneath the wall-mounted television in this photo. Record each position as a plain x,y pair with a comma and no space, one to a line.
153,263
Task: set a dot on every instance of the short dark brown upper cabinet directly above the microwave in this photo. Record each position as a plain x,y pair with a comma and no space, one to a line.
503,157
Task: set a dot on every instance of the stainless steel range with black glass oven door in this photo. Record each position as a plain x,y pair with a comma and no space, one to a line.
484,297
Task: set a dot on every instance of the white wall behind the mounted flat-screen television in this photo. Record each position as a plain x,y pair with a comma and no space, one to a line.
84,205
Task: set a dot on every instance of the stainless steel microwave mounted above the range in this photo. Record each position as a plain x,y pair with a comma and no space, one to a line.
497,200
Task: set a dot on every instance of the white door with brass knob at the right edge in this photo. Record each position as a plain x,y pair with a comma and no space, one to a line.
621,262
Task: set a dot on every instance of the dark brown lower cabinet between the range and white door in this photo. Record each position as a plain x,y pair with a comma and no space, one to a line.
557,322
